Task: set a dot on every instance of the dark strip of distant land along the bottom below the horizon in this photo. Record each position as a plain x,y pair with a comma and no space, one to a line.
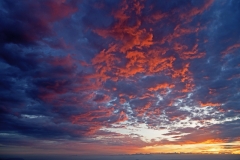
130,157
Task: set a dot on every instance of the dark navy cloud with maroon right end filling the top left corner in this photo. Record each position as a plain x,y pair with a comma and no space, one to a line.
31,27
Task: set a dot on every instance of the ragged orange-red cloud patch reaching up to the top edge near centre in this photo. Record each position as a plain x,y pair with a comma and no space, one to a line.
130,36
